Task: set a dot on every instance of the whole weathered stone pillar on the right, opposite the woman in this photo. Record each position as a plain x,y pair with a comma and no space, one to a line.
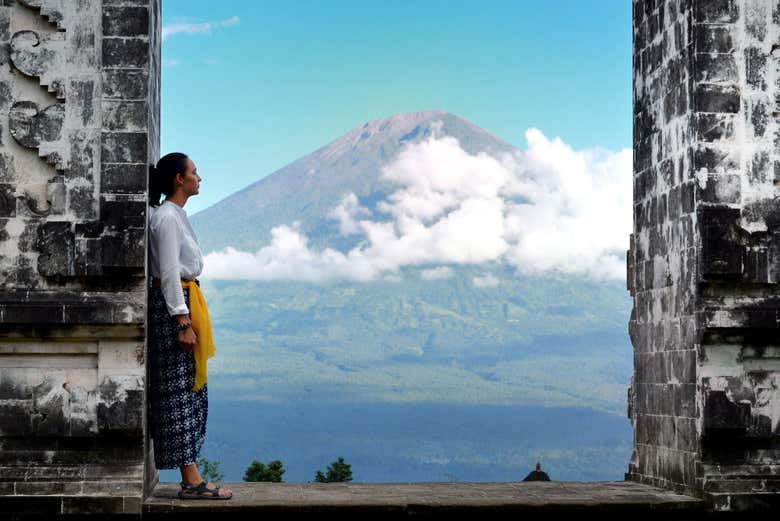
704,266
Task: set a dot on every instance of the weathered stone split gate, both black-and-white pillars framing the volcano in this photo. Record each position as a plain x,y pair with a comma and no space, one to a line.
79,123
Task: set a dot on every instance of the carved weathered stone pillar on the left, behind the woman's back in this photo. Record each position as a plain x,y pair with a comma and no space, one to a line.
79,123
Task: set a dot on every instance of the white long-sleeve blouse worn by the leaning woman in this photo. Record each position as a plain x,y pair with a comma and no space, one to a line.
174,253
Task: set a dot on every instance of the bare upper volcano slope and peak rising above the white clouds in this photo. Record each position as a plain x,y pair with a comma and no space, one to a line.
309,187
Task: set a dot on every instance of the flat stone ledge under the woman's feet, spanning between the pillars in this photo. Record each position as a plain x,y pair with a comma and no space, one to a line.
619,498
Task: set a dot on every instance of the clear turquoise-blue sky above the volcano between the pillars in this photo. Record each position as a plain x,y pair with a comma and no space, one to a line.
249,86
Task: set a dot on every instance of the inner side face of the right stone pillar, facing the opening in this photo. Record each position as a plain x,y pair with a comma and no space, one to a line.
661,275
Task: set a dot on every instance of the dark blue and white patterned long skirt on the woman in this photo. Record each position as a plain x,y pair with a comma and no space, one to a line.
177,414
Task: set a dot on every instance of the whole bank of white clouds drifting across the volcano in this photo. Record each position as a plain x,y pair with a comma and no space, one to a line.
546,209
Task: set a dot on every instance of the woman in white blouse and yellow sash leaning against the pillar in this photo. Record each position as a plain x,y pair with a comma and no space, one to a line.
180,339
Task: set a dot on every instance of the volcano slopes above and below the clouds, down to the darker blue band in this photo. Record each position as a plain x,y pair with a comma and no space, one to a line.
531,340
